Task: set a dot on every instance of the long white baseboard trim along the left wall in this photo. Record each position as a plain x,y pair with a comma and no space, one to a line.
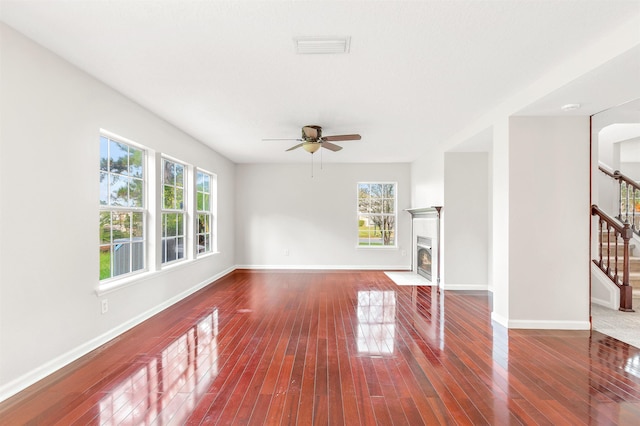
19,384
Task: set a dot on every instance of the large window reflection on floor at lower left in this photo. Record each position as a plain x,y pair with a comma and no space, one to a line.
170,384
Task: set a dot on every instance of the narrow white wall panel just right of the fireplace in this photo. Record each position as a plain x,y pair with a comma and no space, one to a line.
466,236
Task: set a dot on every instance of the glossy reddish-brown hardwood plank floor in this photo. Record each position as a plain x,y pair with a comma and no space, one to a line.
343,347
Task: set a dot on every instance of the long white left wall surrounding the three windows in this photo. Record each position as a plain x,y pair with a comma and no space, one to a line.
49,310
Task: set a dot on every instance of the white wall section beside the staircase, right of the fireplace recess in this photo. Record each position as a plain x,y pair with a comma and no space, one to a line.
549,167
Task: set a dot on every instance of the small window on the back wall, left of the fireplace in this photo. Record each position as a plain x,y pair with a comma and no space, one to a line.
376,214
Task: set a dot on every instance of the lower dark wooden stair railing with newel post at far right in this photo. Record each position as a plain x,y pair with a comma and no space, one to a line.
610,232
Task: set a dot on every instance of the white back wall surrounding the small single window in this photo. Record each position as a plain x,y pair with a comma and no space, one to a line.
281,207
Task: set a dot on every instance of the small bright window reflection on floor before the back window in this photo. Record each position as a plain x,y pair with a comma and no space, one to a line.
376,322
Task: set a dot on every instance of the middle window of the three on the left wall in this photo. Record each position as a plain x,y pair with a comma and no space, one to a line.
173,211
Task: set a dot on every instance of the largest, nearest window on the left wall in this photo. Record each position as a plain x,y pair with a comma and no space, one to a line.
122,209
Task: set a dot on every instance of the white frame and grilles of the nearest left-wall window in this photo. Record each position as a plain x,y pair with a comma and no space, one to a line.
131,210
